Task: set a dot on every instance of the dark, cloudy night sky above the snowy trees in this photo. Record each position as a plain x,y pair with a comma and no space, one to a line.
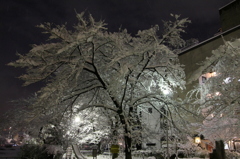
18,19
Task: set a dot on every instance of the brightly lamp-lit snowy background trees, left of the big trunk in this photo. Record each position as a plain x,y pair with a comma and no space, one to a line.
87,126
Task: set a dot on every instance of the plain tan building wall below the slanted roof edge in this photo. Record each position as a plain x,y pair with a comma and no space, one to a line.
193,56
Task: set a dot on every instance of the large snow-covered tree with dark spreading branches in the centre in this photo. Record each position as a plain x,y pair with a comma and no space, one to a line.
89,68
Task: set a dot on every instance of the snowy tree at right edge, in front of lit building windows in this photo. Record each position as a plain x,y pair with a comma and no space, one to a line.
219,95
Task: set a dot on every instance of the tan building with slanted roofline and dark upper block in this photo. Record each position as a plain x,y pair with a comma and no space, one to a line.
195,54
